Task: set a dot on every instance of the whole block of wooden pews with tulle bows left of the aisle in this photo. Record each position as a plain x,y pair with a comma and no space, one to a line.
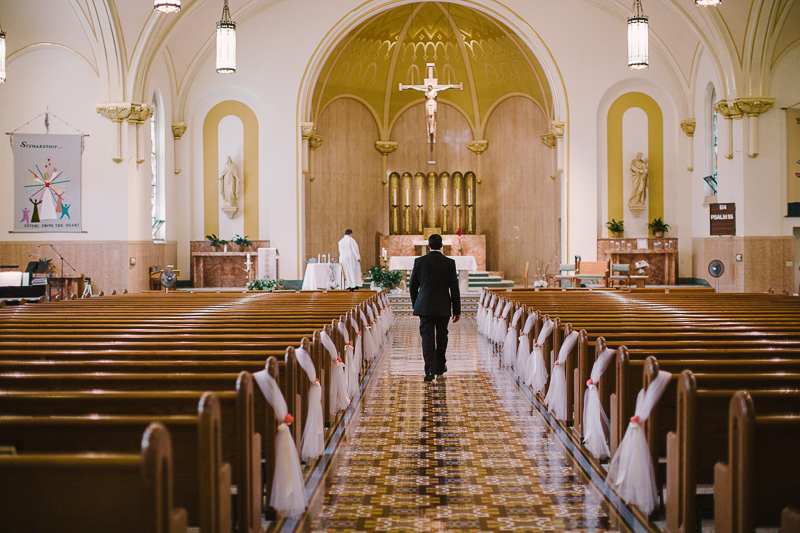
160,412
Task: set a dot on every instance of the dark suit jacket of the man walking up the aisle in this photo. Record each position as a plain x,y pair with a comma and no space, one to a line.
434,286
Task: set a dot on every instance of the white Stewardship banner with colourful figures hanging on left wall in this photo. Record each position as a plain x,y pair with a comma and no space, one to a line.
47,183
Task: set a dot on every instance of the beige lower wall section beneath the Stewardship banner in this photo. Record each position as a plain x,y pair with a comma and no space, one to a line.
105,262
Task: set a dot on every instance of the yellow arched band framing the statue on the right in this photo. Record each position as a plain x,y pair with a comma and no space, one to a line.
655,152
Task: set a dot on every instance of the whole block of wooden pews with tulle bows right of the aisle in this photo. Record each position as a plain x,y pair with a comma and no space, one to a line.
711,381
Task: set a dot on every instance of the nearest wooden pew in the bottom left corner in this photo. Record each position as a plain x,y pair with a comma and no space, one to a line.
86,493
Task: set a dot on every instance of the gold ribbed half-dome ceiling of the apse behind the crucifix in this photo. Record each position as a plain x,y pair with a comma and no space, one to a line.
466,47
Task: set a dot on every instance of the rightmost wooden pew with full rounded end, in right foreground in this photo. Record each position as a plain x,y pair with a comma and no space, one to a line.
762,475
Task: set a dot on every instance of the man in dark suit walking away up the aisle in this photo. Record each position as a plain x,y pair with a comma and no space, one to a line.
434,291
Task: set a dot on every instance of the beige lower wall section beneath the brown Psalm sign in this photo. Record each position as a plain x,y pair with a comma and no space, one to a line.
763,265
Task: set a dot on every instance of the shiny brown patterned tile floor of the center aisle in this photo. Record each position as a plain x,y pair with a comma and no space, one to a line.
460,454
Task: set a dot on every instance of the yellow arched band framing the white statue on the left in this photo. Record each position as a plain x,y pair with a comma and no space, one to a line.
211,166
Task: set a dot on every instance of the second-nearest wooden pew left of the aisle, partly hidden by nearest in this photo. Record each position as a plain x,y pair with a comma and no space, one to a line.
202,482
